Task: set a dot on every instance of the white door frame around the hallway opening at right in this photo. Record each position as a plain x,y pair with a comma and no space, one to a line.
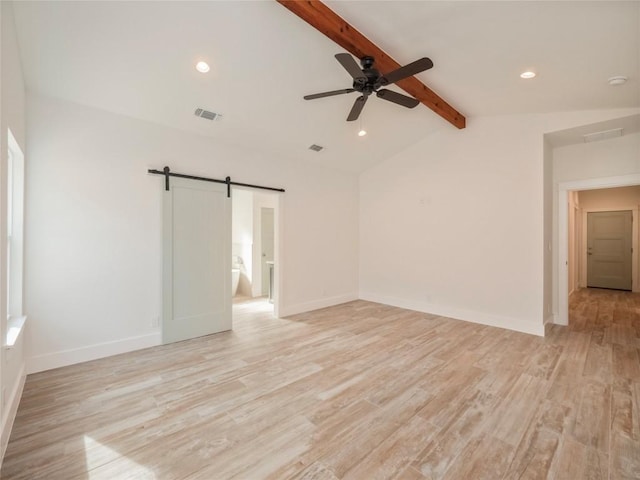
562,233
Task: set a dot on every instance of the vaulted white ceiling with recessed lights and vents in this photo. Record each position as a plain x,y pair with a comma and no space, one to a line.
137,59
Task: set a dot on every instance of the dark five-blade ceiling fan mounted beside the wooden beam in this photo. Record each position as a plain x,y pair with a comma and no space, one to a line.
368,80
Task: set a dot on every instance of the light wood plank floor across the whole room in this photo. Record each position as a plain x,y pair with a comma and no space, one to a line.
357,391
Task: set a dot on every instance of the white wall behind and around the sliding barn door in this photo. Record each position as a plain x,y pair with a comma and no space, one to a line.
93,250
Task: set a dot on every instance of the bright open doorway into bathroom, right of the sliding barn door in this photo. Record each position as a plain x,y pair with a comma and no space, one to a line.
255,253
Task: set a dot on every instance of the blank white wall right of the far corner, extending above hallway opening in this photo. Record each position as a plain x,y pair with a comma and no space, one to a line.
454,224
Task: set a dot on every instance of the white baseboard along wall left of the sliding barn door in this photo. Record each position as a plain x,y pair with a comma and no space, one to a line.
63,358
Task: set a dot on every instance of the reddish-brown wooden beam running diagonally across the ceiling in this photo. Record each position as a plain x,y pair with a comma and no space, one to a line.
325,20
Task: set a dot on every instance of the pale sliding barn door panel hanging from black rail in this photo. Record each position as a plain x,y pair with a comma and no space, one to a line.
197,260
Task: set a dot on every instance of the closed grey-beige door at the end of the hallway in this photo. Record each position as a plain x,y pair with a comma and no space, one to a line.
609,249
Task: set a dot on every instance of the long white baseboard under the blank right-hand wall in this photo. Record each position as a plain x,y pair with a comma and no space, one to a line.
458,314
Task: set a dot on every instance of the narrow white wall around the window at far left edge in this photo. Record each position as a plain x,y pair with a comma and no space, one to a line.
12,115
